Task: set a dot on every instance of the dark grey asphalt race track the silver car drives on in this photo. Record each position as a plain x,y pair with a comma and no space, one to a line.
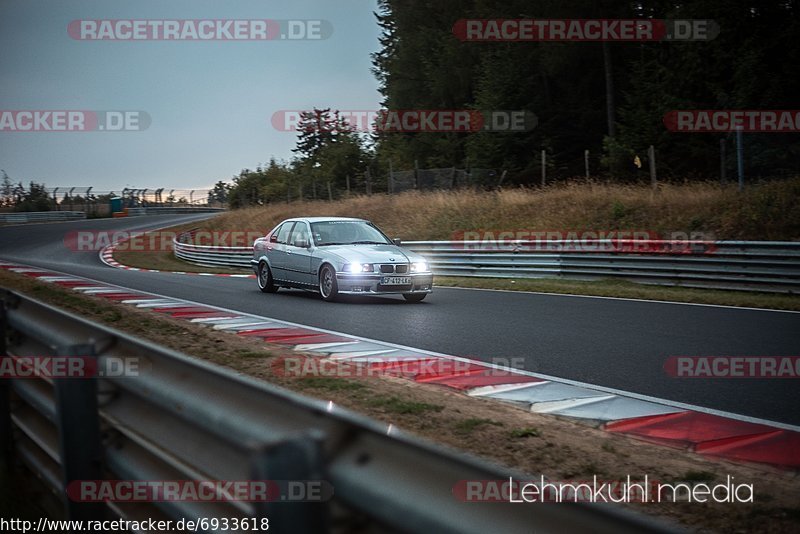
620,344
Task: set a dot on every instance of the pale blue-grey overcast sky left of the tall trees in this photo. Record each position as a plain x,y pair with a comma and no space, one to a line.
210,102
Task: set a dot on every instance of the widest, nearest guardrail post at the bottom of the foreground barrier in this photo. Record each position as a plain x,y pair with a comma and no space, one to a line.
294,460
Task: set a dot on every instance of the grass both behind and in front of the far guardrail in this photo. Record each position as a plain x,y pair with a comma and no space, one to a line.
770,211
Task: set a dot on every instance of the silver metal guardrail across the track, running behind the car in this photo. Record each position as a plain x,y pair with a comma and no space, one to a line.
771,266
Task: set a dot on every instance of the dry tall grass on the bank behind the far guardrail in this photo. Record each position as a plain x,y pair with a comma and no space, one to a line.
769,211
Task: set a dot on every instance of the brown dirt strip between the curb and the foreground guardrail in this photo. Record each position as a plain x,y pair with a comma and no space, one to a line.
558,448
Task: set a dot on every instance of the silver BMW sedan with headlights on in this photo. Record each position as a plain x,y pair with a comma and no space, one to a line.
338,255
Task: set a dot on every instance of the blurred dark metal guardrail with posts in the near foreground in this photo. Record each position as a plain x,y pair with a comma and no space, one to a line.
185,419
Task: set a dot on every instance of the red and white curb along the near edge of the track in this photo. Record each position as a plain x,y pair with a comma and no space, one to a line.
704,431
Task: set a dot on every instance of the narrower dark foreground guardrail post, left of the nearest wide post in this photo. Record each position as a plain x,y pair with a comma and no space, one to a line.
78,431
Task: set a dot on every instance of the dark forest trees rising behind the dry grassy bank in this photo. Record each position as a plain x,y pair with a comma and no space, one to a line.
608,98
